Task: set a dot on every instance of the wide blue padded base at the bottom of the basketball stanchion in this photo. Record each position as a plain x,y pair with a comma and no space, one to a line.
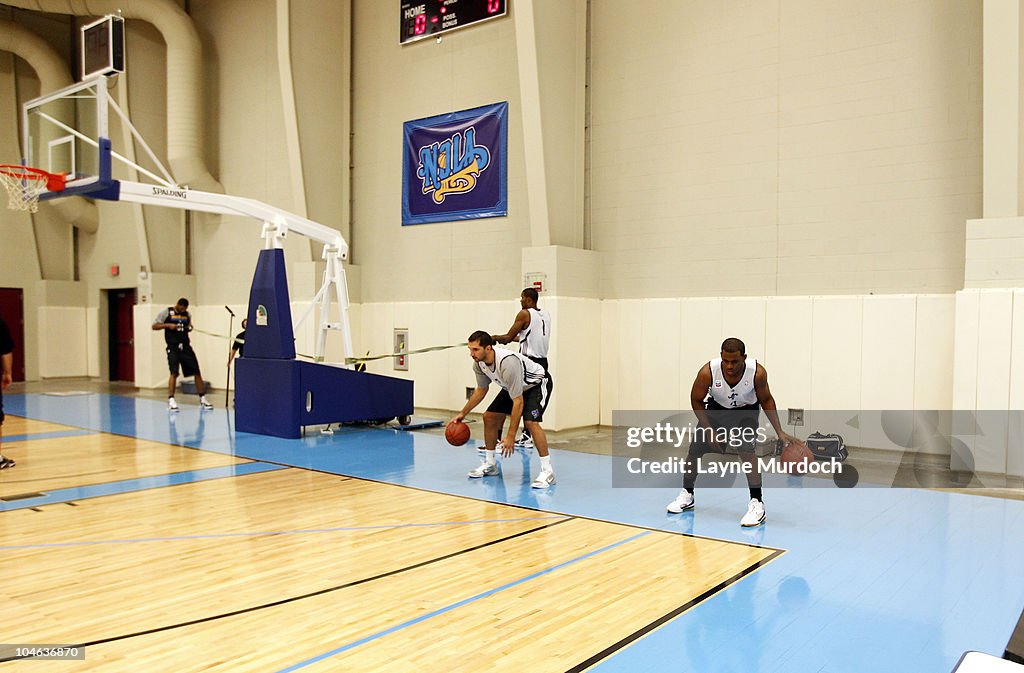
279,398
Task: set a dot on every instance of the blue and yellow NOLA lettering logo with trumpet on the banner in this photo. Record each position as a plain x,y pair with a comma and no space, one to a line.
453,166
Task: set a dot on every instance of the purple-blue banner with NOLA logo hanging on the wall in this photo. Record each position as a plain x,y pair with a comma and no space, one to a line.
454,166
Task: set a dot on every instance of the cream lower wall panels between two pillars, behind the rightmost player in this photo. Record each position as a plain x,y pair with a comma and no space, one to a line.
825,353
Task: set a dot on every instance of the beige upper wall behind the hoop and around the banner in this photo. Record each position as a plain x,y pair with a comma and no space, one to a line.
840,143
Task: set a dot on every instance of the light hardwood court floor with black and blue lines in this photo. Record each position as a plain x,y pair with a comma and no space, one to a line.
288,569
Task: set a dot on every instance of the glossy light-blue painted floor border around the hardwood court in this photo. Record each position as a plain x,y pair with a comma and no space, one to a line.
872,579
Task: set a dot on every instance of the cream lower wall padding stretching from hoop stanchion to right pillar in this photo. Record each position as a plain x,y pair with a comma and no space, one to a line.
827,353
